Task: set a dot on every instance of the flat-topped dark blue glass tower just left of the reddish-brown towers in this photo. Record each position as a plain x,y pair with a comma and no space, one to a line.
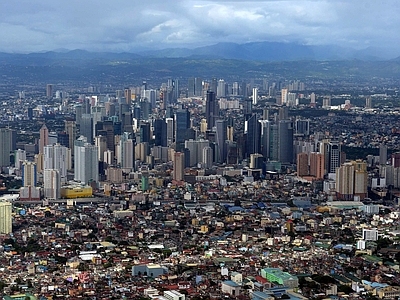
285,141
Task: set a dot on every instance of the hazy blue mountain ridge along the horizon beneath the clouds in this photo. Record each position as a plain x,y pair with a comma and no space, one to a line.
256,51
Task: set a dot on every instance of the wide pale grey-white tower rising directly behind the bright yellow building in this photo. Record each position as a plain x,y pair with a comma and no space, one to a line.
85,161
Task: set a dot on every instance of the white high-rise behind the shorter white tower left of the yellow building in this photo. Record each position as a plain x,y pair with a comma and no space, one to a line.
57,157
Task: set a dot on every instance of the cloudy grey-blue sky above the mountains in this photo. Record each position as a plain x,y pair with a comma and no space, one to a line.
126,25
